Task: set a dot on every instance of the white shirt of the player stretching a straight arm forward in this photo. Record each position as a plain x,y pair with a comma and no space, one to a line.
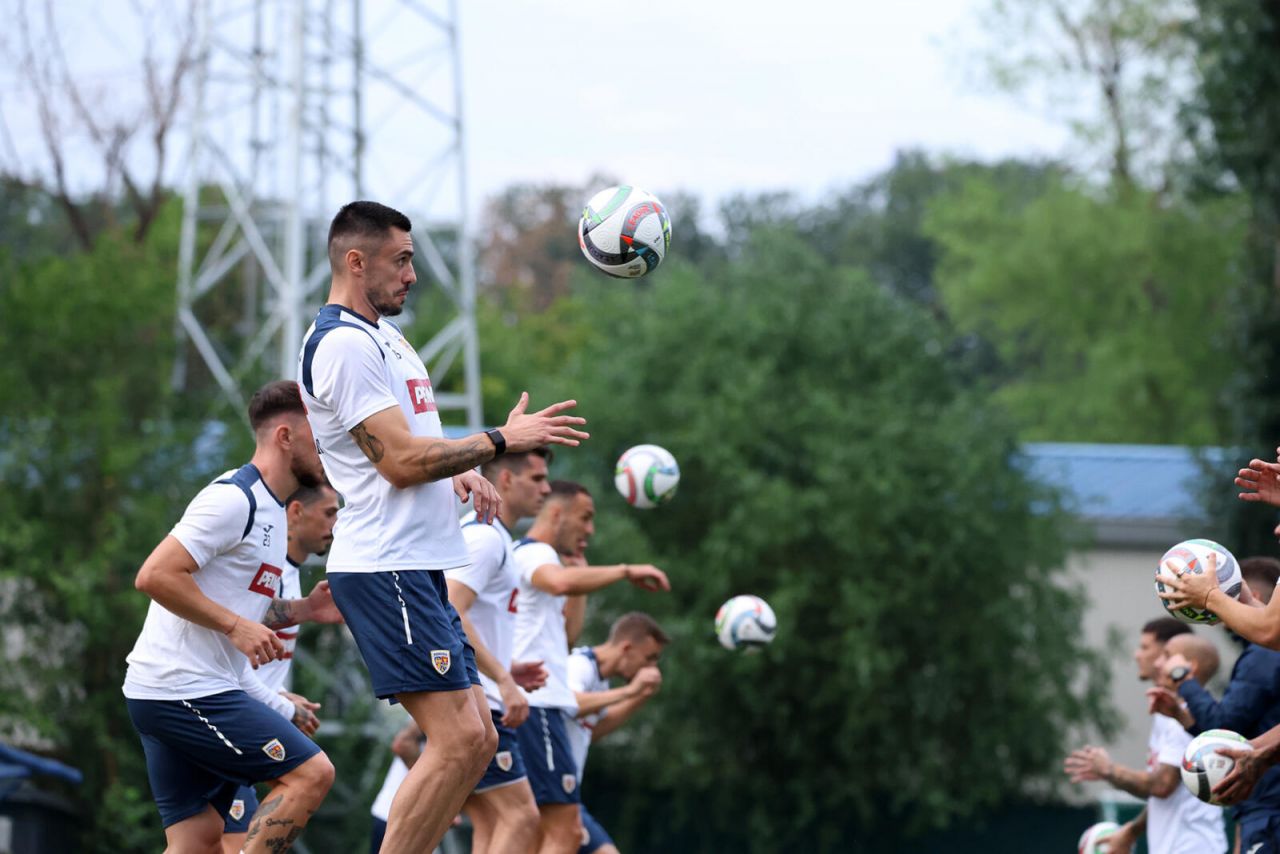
541,628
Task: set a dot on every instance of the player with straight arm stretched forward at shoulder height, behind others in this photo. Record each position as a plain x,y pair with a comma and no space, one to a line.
564,527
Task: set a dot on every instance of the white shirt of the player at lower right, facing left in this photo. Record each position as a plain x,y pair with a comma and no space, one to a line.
1181,824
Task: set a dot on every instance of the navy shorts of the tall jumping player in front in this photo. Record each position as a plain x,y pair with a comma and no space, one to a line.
409,634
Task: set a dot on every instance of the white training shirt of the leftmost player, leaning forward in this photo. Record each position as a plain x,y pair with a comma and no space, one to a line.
235,529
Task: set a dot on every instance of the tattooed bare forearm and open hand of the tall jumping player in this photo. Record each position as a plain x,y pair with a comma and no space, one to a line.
406,460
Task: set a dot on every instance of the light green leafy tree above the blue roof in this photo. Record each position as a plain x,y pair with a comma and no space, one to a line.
1113,316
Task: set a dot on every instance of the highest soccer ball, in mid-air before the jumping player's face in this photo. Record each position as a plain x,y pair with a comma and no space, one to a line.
624,232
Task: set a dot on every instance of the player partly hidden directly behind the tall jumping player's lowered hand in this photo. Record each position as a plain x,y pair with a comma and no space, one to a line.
502,809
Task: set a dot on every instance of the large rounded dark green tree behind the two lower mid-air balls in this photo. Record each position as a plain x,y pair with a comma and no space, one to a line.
834,463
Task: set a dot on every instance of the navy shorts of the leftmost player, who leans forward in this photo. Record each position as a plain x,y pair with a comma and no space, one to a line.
202,751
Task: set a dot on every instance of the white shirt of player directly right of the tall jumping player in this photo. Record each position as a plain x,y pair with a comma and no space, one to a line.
492,577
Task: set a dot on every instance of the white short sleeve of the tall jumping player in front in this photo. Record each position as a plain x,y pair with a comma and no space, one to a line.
349,376
